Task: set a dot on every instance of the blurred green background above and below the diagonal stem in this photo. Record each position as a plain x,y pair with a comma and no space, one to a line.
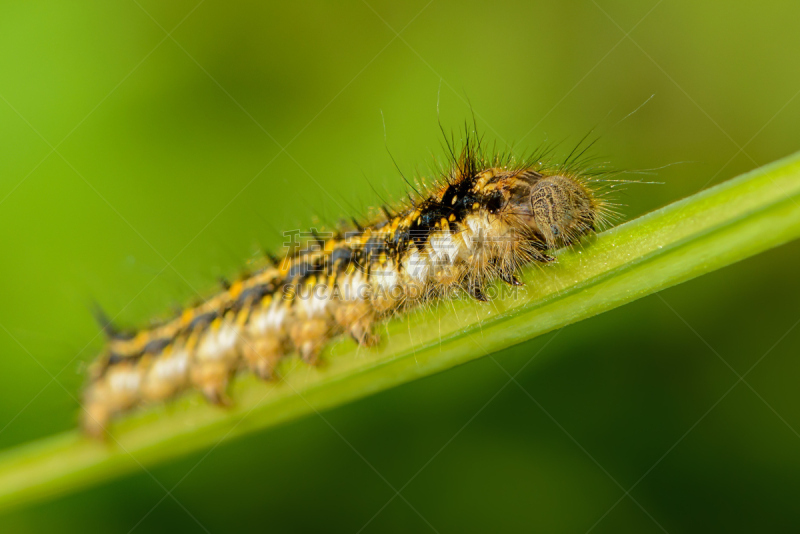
146,149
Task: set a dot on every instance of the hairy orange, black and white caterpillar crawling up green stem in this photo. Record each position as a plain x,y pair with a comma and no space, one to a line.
482,219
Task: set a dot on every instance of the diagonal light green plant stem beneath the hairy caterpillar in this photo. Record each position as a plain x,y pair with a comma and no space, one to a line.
707,231
